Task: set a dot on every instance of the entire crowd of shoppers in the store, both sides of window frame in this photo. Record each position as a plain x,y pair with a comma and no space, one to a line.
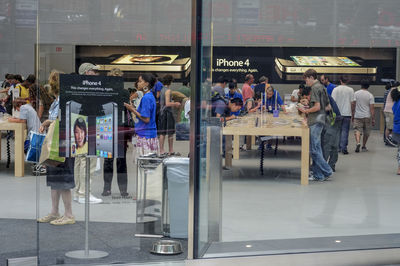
153,108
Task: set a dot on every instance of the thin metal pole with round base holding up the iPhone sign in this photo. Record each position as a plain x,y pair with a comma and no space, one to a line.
86,253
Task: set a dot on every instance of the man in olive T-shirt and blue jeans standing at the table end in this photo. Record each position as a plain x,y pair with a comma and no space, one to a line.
316,116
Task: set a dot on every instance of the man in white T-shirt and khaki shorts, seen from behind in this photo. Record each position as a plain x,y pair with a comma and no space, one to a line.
363,114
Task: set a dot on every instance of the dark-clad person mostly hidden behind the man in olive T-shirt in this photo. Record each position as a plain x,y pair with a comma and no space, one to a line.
331,136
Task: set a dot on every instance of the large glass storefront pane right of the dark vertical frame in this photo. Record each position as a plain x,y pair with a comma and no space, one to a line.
269,196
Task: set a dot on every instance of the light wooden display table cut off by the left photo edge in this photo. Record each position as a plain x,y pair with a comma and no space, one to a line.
19,138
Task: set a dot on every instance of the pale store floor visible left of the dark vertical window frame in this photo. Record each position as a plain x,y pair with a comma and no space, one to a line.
23,194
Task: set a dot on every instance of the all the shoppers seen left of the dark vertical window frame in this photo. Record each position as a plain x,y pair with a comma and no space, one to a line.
152,108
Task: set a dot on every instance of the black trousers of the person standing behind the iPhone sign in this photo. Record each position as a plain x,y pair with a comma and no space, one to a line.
122,175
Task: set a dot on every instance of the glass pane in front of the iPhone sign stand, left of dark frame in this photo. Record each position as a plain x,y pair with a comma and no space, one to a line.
104,56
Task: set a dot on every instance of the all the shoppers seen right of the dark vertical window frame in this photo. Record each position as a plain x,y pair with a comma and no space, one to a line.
329,111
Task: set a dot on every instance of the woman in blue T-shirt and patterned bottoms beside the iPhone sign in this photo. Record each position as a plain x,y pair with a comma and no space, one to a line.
145,124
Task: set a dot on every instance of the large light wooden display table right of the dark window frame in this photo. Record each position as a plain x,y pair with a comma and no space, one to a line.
284,125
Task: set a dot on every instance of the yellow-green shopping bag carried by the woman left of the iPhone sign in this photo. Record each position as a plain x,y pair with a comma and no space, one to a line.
50,148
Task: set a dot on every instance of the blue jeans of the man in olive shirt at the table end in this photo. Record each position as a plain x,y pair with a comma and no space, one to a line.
320,167
